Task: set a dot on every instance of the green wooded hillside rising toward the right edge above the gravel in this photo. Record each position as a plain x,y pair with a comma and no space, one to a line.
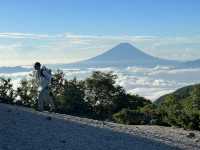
182,107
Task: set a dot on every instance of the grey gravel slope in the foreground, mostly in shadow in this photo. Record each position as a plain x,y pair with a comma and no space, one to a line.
25,129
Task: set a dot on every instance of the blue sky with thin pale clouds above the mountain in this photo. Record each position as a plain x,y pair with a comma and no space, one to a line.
56,31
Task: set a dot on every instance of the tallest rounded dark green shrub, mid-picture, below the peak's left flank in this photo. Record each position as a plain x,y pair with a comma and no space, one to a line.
101,93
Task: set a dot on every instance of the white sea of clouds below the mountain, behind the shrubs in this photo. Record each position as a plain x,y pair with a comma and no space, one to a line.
148,82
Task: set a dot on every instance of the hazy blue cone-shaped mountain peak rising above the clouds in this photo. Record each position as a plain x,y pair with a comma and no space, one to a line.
125,54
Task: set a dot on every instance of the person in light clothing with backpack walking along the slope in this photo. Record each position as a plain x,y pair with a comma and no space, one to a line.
43,79
